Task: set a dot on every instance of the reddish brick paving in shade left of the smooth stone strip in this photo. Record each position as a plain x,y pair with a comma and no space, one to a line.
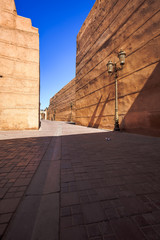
19,159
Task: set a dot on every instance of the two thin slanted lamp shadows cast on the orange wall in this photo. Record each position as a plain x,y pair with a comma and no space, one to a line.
97,123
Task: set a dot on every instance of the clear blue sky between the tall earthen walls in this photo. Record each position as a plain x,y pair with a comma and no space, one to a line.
59,23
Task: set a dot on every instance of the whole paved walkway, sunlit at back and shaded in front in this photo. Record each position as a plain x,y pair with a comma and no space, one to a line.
70,182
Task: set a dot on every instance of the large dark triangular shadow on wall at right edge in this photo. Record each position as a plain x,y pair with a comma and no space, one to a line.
144,115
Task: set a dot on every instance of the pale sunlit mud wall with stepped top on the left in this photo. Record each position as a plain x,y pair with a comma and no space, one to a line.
19,66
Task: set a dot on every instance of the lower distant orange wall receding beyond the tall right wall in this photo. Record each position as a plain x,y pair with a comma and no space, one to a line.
60,104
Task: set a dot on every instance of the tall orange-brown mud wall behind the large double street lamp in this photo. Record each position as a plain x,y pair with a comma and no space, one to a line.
134,26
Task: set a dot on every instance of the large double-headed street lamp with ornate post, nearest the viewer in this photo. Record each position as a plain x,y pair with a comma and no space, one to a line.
112,68
